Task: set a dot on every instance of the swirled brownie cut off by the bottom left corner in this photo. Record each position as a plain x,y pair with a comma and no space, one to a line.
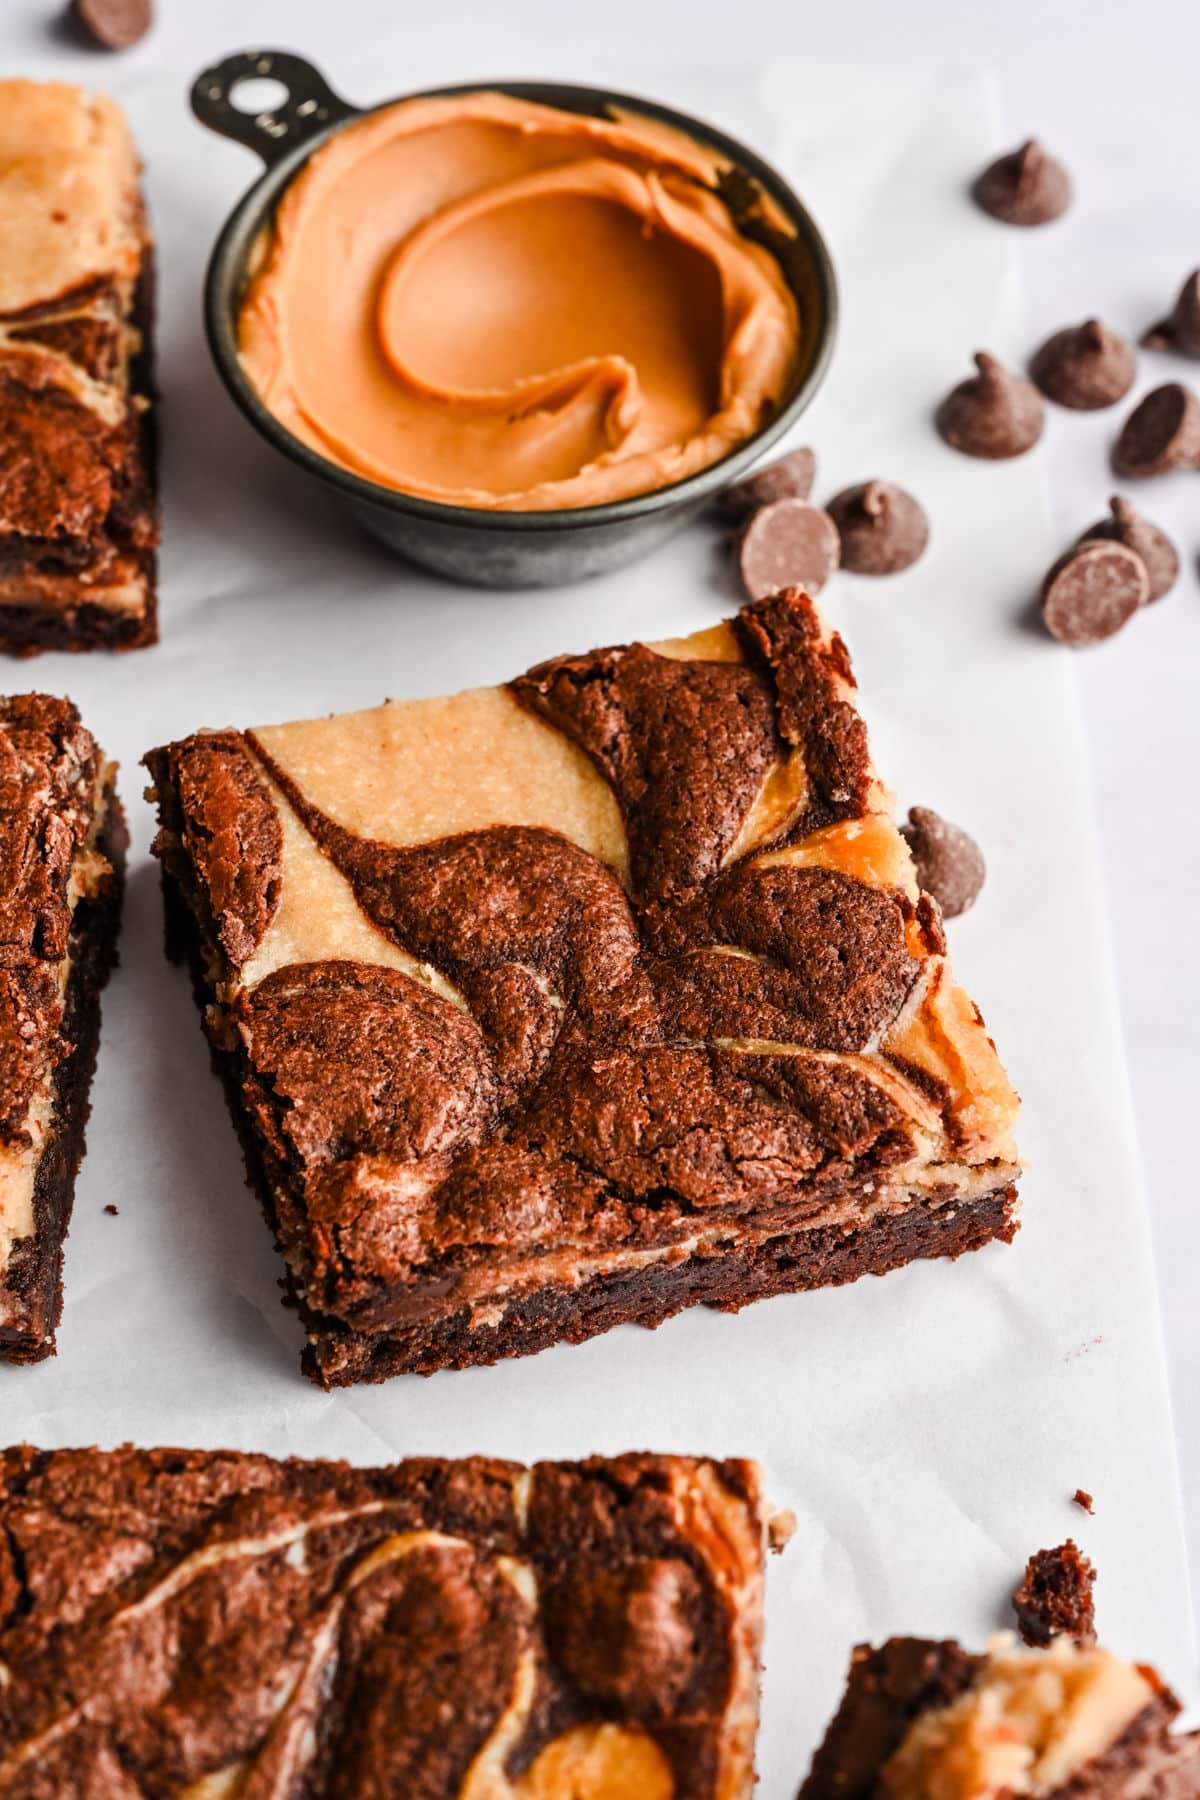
201,1624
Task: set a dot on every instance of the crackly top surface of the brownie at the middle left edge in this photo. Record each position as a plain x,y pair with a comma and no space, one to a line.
51,778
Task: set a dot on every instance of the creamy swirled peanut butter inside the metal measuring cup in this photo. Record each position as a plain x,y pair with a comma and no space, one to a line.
494,303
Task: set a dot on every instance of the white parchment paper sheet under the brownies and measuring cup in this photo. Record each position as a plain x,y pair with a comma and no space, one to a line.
927,1428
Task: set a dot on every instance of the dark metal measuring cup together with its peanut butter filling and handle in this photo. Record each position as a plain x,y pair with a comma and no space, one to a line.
523,330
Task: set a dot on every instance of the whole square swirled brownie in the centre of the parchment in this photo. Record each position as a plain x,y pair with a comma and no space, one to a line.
551,1007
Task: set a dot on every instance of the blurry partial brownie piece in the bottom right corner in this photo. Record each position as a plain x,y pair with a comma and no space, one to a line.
927,1720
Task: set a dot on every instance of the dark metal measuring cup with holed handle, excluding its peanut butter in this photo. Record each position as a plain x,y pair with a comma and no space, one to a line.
463,543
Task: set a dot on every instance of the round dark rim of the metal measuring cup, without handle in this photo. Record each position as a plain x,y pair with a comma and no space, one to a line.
251,213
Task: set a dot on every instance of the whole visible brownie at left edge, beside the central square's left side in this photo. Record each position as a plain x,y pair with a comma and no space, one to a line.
62,874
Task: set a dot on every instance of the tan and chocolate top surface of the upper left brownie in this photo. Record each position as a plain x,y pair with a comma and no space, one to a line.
73,237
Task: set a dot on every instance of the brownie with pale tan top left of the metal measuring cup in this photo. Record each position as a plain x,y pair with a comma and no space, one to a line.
78,517
